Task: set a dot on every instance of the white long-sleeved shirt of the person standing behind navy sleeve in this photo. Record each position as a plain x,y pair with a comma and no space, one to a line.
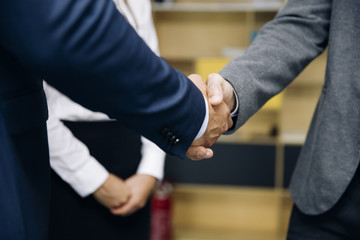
69,157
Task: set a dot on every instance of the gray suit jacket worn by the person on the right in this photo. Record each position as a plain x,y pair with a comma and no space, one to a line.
282,49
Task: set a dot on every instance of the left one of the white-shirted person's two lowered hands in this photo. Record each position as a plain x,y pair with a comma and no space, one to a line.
113,193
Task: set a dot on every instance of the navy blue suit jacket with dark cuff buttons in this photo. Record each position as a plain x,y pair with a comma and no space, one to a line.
87,50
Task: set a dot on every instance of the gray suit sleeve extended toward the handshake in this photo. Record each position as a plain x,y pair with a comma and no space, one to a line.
281,50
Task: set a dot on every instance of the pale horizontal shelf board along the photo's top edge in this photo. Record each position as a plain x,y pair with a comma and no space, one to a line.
255,6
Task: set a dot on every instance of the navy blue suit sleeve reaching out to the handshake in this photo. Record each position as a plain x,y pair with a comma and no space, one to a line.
88,51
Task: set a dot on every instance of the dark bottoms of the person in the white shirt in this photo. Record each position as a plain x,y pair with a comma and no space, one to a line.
75,218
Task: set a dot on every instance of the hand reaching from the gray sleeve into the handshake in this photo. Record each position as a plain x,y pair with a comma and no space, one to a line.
219,90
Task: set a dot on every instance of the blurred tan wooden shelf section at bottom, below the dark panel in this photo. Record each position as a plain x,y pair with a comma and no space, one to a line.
223,212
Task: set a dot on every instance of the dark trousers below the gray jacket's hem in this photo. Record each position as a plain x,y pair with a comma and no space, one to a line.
341,222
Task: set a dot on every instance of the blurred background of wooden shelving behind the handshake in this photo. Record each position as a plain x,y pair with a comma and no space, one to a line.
242,193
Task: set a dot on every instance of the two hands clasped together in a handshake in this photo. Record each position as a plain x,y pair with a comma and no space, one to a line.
221,100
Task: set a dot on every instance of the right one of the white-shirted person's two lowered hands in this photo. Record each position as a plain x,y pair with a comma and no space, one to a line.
141,186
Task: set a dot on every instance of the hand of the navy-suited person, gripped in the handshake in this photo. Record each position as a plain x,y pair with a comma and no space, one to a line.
219,122
